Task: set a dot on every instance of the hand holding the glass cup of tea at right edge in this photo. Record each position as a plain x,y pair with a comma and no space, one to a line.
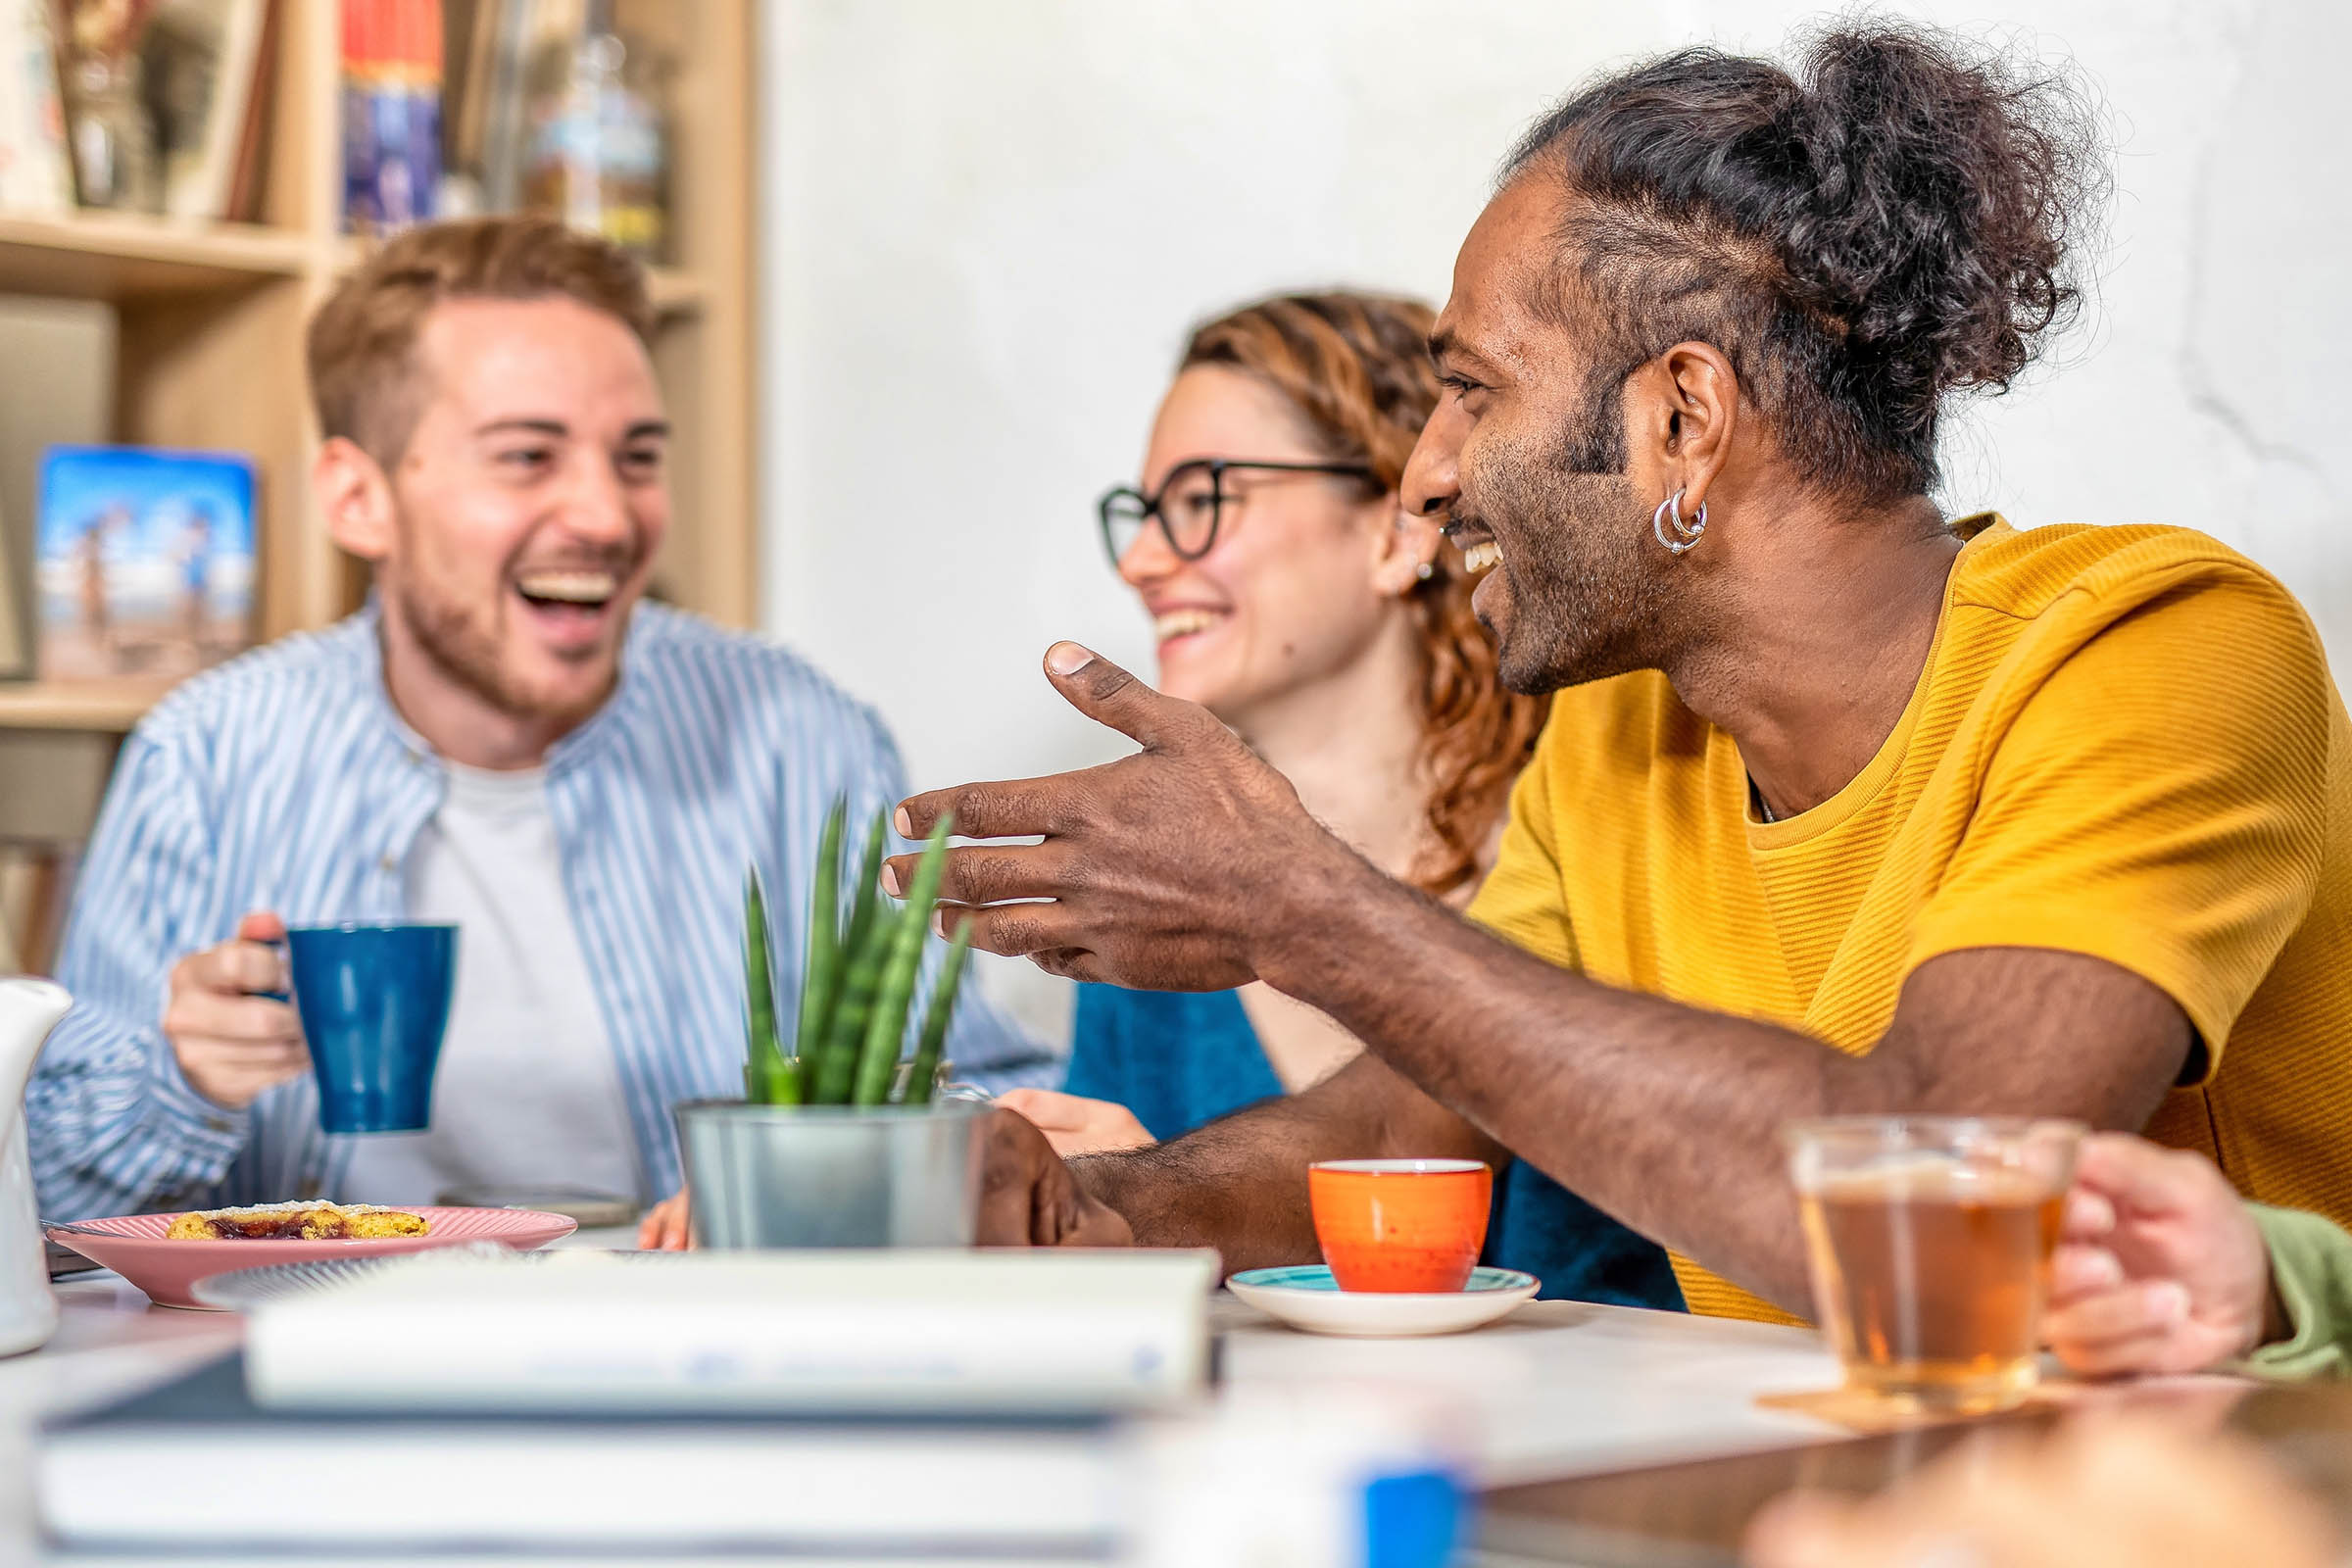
2160,1268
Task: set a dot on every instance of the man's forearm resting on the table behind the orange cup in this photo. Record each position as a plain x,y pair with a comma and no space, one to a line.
1241,1184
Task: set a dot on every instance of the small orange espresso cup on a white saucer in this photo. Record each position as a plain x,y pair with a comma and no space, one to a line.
1410,1226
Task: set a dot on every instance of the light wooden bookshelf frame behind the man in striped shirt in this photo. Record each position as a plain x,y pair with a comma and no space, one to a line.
211,326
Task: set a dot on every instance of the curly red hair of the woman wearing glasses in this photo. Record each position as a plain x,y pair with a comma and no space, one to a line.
1358,370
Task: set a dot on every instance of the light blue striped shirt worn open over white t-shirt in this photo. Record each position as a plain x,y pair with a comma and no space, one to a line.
286,782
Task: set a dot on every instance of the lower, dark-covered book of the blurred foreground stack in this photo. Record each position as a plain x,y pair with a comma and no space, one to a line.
196,1466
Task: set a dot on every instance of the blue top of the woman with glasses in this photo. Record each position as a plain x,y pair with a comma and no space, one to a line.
1187,1059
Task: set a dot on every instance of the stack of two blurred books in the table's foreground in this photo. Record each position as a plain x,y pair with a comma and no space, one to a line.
707,1402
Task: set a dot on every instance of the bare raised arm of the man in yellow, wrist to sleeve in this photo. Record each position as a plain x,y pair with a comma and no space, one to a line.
1669,1115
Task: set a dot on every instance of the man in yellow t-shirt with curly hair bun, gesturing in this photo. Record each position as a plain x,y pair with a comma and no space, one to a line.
1843,808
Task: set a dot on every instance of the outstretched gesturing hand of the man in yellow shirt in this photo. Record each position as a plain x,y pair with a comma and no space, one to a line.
1163,871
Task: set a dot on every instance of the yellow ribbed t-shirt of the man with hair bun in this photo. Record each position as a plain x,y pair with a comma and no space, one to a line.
2125,744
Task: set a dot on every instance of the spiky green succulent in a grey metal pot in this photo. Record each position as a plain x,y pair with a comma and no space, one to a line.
843,1139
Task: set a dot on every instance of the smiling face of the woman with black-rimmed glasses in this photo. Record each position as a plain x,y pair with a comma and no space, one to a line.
1302,572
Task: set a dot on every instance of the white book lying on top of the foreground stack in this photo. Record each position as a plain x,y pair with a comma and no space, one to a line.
871,1332
